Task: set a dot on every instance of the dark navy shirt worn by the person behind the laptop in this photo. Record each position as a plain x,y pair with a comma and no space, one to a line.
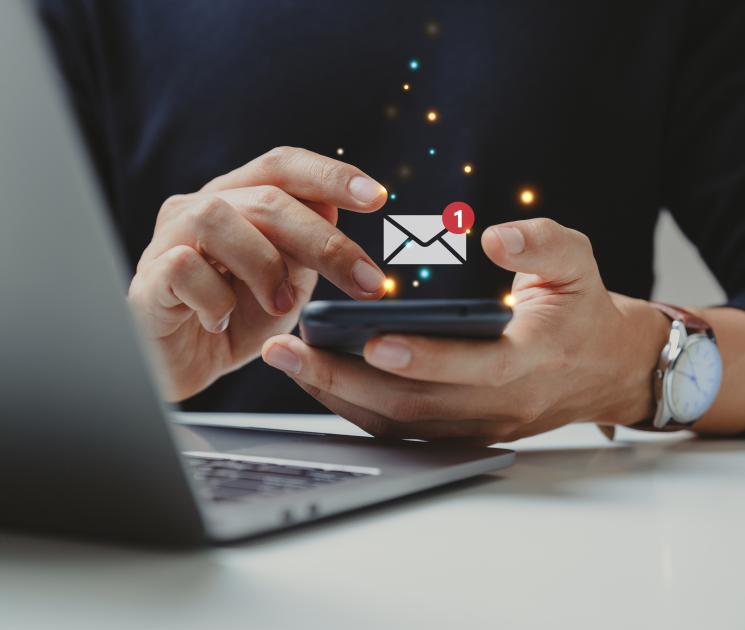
609,110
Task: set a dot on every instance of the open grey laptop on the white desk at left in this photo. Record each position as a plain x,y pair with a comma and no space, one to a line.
88,447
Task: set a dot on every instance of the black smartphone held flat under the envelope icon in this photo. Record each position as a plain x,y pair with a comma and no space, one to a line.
346,325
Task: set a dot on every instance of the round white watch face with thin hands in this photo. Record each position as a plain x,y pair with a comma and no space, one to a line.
693,380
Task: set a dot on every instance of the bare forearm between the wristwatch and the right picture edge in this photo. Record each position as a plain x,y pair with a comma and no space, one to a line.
727,415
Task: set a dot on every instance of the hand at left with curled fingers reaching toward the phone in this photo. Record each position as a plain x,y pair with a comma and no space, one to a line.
233,264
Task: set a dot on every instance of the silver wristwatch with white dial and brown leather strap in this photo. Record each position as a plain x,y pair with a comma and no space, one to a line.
688,374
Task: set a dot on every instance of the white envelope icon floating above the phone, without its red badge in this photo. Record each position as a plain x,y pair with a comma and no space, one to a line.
421,239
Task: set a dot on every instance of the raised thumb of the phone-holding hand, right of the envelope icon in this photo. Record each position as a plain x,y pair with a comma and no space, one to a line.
541,247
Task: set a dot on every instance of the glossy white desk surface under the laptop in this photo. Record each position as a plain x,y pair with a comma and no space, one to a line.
580,533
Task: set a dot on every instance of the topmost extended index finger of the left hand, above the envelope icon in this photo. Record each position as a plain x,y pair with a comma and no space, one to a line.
307,175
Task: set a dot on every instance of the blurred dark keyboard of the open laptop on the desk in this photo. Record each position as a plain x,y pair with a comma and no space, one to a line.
230,479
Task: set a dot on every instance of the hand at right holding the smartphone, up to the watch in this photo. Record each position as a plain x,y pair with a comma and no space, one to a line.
572,352
